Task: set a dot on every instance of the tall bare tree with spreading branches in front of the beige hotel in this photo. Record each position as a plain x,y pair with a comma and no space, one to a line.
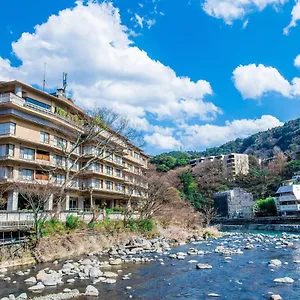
103,132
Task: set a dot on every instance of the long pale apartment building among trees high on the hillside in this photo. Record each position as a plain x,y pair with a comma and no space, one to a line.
233,163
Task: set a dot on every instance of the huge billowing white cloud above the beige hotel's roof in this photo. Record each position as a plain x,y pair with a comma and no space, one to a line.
104,67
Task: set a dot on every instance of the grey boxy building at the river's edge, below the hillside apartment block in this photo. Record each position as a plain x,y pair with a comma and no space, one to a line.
235,203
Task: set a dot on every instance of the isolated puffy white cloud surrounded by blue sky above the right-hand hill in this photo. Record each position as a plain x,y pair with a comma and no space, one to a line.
254,81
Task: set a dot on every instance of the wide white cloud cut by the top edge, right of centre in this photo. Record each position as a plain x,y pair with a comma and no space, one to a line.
231,10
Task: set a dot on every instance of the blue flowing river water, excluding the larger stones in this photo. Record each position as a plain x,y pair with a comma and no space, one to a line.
241,276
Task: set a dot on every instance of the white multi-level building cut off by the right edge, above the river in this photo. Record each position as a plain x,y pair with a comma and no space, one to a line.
288,196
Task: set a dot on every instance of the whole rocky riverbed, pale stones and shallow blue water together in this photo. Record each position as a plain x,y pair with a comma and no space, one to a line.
236,266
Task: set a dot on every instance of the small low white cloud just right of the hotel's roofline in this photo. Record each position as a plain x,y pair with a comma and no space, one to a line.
163,142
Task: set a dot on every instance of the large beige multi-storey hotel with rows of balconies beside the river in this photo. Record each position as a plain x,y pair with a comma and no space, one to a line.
30,142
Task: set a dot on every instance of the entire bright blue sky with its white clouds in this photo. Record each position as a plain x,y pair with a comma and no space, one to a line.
191,74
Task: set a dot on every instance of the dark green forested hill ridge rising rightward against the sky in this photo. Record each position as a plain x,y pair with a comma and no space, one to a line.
264,144
